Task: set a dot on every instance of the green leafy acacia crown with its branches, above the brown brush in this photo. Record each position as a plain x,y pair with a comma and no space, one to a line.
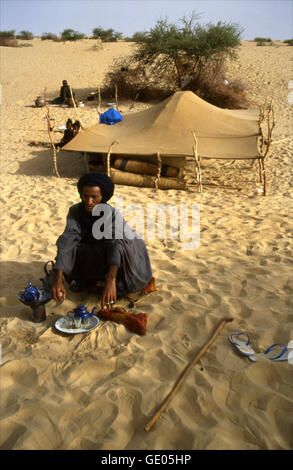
183,51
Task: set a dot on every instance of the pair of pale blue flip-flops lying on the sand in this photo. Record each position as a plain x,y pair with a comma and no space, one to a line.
276,352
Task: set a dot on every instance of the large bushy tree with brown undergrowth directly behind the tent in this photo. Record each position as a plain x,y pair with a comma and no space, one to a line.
170,58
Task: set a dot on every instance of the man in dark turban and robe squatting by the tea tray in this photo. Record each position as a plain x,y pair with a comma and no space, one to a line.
122,264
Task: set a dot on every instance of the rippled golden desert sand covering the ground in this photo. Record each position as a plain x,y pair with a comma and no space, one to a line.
98,390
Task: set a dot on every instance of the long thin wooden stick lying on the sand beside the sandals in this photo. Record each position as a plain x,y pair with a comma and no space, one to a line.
181,379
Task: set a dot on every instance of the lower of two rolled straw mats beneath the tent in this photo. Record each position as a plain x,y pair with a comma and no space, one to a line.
145,181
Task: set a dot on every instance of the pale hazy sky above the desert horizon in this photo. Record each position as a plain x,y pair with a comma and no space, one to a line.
263,18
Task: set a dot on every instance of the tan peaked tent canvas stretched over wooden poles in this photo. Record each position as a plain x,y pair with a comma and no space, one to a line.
167,128
